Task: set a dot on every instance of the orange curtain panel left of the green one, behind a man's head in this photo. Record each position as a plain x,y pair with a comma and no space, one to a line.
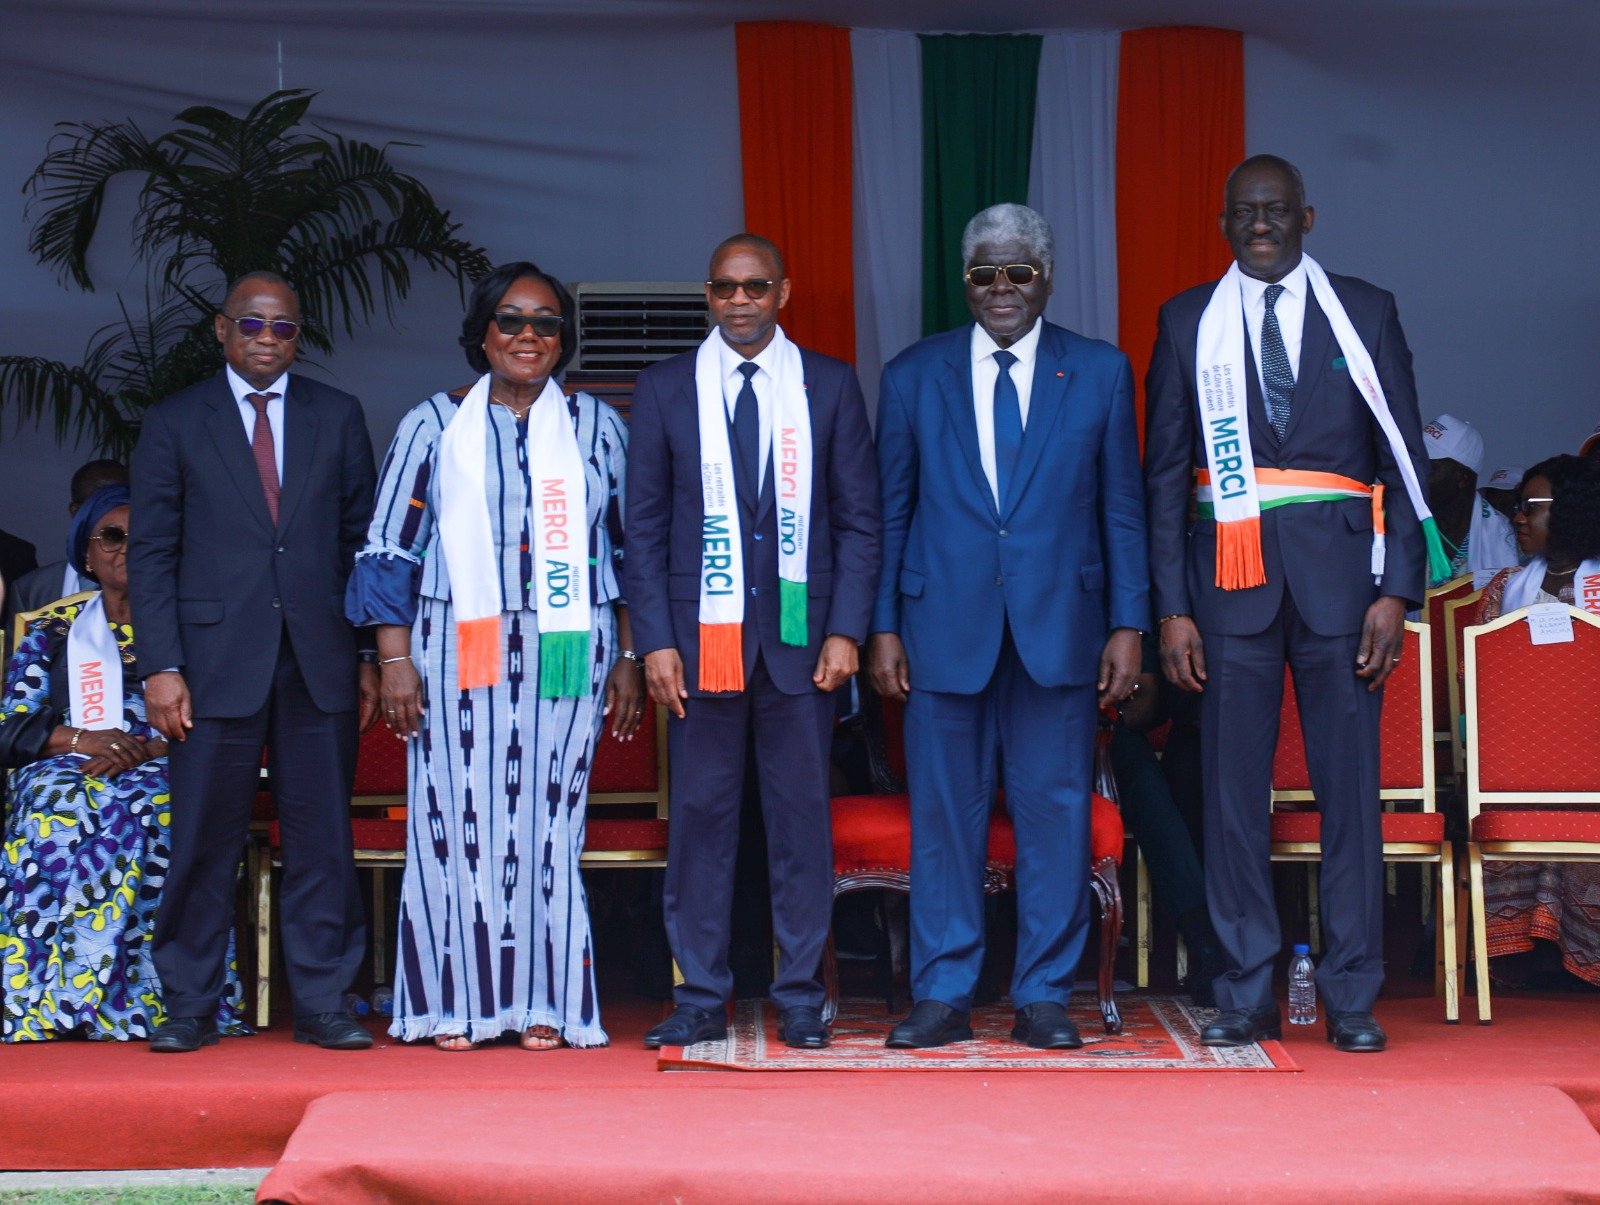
794,134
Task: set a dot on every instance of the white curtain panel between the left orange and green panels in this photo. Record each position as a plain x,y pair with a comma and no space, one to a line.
887,70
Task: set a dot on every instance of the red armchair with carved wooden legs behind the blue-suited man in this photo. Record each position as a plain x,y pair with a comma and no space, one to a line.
873,851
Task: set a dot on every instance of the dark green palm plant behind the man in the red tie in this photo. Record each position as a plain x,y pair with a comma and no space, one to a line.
218,196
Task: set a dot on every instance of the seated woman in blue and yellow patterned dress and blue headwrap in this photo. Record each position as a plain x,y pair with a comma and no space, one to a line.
86,839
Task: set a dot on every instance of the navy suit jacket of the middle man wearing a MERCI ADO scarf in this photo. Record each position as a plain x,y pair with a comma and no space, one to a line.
666,513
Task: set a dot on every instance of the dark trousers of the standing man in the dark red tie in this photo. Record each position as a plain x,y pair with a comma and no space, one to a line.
215,777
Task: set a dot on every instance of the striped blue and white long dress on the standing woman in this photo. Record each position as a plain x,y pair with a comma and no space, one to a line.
494,929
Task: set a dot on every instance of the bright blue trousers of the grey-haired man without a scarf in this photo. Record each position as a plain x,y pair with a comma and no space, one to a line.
956,748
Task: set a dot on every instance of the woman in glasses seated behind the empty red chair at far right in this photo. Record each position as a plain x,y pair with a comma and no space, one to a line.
1546,911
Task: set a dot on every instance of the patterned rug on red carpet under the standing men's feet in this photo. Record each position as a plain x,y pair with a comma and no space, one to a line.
1159,1033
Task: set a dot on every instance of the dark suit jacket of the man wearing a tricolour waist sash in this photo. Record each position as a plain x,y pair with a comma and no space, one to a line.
1321,553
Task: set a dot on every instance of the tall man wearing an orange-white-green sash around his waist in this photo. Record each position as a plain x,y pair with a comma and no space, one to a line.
1314,606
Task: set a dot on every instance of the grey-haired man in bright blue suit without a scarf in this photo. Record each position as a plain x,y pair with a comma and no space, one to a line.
1012,599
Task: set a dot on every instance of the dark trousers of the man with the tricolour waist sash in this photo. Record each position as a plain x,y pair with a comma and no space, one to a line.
1239,732
